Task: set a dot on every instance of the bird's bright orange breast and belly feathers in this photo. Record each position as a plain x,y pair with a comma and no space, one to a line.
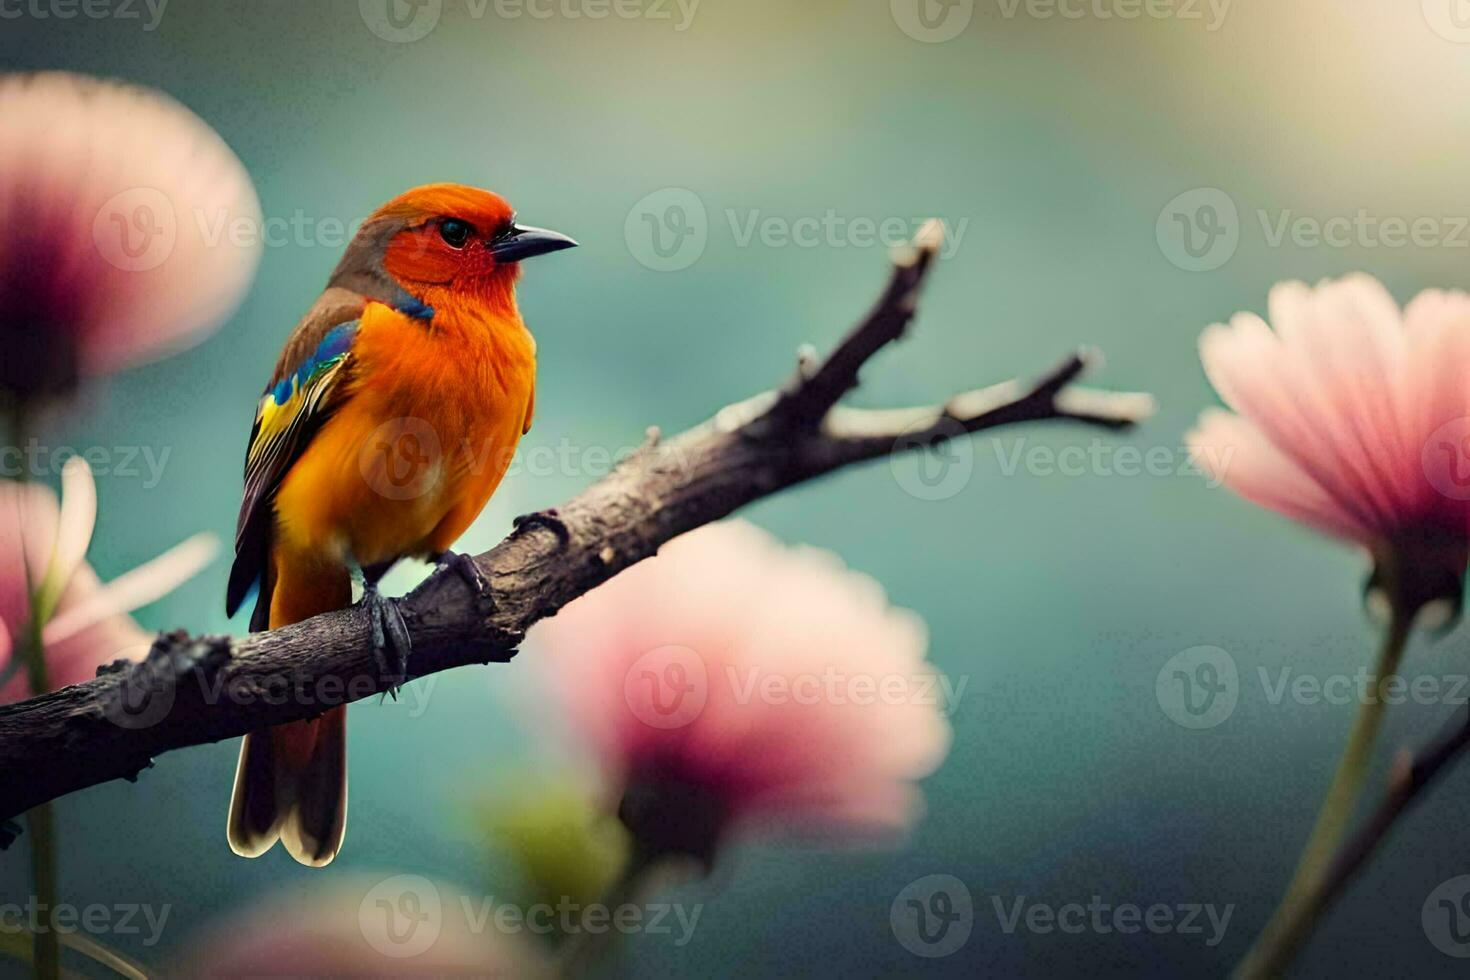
430,421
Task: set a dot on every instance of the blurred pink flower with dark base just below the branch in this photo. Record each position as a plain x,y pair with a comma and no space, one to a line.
734,682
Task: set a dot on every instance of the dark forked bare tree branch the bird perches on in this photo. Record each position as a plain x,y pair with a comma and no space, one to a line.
196,690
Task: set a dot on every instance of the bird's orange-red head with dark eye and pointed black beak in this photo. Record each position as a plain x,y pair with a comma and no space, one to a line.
443,243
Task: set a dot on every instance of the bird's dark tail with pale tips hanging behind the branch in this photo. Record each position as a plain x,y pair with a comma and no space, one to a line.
292,781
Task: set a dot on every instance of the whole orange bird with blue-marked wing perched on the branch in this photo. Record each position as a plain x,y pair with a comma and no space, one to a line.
392,418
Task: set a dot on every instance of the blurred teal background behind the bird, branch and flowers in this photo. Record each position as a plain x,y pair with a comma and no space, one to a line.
1058,597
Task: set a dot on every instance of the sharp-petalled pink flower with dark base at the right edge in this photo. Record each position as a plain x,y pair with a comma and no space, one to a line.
1353,419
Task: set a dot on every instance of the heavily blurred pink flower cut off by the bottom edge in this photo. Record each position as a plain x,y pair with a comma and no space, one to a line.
364,926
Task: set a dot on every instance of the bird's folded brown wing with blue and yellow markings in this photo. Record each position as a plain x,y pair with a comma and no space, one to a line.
302,396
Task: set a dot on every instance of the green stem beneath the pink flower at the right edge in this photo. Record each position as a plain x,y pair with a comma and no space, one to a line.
1294,920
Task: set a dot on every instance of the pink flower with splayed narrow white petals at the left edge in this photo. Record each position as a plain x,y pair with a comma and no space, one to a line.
90,625
